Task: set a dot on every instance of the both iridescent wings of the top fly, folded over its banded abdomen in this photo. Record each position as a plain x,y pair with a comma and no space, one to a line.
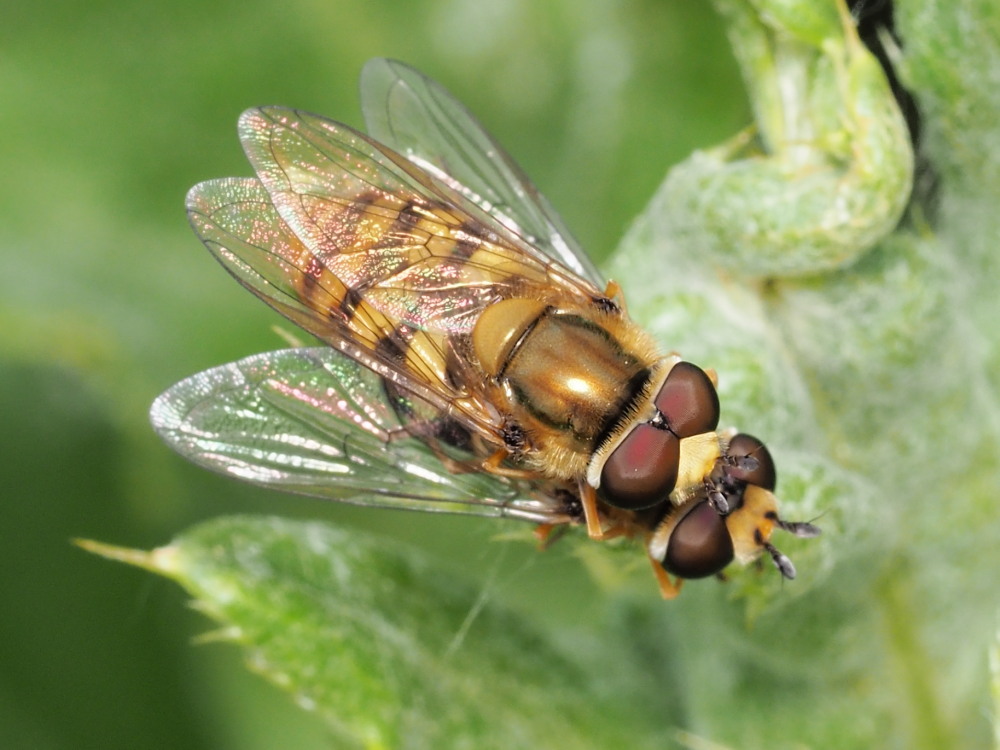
371,254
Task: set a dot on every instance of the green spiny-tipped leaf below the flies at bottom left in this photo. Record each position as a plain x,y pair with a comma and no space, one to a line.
391,650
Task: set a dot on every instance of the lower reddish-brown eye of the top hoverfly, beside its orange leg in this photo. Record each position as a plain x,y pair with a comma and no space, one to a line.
642,470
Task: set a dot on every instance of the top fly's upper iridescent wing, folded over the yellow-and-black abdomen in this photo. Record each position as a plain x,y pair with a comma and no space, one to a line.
346,196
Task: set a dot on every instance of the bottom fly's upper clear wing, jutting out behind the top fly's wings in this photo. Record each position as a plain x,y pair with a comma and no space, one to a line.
417,117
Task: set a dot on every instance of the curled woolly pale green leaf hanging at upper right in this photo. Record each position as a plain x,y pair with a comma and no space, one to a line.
827,171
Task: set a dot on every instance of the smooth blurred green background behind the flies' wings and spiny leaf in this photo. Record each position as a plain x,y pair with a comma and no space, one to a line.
111,111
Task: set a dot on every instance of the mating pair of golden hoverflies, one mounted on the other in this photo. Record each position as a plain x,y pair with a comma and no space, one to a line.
475,362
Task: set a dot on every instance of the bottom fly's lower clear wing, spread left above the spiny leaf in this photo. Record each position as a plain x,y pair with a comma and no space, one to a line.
315,422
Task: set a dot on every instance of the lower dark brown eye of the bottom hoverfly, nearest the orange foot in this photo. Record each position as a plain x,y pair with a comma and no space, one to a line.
700,544
